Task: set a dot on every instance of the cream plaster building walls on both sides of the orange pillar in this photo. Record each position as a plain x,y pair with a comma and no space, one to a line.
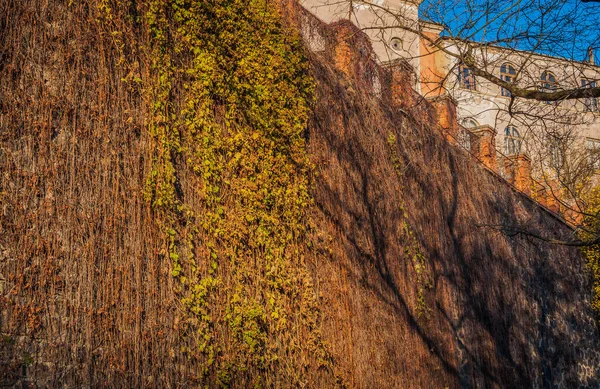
387,22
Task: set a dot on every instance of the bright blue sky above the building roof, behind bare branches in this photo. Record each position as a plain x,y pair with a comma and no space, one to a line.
564,28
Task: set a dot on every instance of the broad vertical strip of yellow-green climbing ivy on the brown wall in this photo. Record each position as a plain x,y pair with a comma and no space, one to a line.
228,95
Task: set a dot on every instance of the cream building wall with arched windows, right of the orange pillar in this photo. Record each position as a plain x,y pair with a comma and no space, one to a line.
538,122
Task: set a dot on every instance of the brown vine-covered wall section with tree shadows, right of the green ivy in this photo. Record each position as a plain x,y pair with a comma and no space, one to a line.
498,311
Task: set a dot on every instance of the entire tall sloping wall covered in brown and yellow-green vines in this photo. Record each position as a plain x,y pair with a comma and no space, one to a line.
189,197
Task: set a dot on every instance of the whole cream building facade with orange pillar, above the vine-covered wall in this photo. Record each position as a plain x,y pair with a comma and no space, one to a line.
557,142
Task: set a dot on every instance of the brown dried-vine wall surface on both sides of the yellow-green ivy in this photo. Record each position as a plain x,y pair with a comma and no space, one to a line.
415,284
